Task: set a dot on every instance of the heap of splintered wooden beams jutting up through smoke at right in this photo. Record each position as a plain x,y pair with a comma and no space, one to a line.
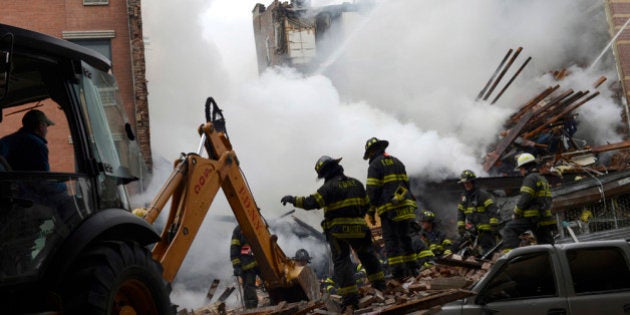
544,126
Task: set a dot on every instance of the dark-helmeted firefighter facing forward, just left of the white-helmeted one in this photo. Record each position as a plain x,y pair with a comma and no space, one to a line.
477,209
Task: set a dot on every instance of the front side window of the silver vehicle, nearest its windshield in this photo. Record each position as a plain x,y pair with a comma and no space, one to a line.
526,276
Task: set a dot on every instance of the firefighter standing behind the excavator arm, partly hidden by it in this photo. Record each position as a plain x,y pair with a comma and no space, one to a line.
245,266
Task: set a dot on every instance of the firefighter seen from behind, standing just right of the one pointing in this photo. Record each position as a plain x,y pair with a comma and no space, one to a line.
390,197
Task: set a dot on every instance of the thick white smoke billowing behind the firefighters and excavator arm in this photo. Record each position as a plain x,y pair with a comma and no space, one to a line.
410,75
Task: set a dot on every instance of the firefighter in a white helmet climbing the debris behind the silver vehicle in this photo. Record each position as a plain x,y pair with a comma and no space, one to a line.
533,209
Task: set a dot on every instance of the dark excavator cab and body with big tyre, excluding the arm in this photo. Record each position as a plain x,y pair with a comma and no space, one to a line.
65,218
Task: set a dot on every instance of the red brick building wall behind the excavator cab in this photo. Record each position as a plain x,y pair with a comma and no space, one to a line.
53,17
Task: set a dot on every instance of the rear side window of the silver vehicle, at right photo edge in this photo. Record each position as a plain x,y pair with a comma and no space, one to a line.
598,270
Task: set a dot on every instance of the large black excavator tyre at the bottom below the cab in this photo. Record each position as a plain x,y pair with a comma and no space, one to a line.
115,277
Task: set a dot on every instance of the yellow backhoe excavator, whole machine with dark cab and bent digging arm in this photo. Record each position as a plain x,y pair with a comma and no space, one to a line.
69,243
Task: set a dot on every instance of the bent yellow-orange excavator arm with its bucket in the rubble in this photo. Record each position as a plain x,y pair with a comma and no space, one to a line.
192,186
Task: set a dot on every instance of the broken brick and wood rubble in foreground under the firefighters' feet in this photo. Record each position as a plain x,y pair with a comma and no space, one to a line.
434,286
